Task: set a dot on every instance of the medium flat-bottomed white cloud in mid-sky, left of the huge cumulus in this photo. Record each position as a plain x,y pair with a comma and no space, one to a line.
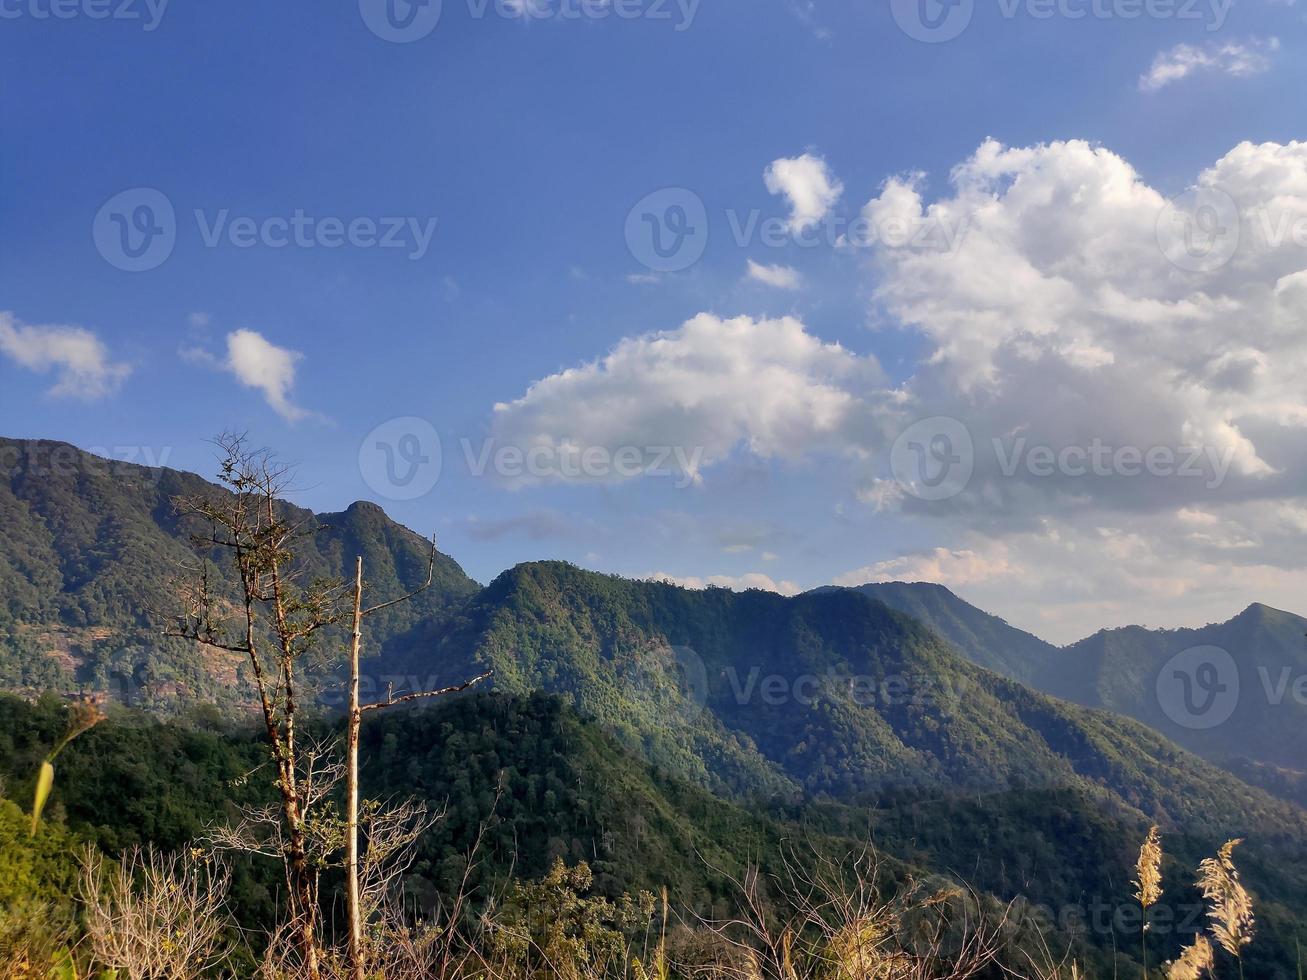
708,389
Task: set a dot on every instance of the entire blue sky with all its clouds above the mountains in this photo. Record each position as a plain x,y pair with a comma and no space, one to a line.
527,133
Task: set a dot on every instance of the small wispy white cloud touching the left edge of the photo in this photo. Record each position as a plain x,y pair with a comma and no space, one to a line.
78,357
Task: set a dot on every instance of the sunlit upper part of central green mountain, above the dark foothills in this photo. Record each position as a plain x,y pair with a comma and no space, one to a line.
821,694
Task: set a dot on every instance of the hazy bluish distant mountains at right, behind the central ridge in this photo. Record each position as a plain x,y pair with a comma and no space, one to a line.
1248,710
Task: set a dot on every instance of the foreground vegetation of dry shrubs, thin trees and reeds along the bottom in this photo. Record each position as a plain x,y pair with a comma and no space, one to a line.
290,821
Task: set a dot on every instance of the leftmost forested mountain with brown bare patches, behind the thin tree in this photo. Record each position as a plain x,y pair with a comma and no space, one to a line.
90,561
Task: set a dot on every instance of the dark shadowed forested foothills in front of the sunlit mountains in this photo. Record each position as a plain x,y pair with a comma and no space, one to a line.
535,781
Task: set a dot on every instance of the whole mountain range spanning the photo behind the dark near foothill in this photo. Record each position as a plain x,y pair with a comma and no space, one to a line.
895,710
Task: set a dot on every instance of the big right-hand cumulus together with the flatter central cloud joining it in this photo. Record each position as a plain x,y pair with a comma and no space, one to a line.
1065,321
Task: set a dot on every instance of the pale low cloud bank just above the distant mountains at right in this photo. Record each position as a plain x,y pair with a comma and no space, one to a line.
1067,580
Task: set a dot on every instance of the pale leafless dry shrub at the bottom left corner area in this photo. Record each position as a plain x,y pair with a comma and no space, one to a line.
155,917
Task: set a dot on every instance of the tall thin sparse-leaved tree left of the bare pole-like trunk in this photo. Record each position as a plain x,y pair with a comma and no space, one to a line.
276,624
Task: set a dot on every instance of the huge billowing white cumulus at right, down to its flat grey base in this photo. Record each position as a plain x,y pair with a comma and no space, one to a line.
1061,321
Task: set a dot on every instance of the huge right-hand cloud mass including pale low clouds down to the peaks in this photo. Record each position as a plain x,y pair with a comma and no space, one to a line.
1062,322
